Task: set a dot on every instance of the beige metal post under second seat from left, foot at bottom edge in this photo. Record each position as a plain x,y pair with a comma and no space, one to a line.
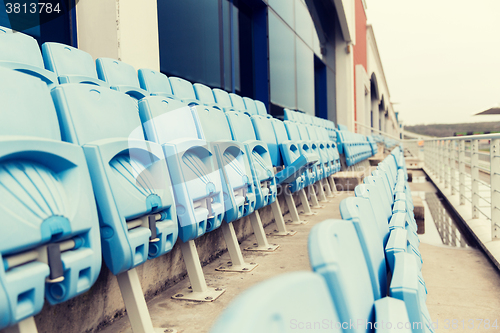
133,297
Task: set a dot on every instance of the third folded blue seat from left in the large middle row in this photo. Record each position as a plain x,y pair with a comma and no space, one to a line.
193,167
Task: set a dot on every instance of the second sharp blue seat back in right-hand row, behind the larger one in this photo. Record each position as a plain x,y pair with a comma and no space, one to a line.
360,212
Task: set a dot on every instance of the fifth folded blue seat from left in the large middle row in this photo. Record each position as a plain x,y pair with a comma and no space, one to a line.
242,131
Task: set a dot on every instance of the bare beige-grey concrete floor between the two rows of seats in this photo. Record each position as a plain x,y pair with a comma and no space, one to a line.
194,317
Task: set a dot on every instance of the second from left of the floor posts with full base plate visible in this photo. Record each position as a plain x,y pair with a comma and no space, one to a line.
237,263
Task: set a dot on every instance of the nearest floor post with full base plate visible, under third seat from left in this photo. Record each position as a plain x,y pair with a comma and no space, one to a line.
199,290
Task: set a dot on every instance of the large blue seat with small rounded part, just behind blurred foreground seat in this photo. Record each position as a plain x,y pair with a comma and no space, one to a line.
336,254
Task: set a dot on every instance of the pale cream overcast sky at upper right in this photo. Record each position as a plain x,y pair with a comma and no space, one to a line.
441,58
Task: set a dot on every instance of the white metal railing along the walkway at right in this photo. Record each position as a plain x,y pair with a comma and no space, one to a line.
469,166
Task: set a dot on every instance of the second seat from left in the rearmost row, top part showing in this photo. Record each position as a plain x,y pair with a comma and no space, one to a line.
70,64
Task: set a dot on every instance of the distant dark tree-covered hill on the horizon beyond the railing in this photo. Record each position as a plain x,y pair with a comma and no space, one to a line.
443,130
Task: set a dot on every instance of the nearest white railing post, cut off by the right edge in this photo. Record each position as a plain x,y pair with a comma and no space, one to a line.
495,188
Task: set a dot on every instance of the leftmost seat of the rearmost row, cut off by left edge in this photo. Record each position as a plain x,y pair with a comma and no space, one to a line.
20,52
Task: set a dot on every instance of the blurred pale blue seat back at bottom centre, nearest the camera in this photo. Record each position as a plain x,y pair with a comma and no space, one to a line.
282,304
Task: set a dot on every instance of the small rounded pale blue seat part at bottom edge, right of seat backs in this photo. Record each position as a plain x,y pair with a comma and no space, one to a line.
393,311
